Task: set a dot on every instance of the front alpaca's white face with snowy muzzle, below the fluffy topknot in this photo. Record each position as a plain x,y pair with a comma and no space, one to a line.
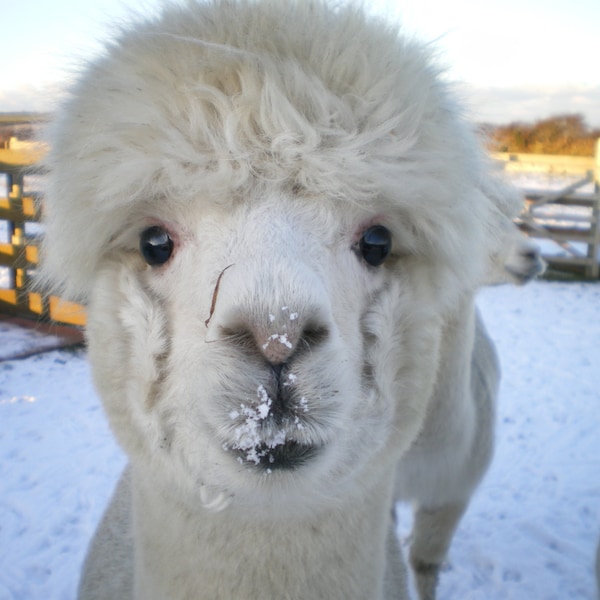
264,349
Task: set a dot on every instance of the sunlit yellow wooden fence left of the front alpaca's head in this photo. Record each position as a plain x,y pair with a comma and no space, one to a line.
19,237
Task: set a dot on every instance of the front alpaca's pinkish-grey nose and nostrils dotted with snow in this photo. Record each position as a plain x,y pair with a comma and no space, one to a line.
278,335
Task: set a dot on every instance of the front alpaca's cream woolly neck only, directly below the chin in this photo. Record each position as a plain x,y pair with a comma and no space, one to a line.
334,554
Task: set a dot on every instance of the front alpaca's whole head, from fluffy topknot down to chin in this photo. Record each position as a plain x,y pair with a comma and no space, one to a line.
271,209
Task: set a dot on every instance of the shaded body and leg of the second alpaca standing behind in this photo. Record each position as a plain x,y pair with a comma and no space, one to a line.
441,470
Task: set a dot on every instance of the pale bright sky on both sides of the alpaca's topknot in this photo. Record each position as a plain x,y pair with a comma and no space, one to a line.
515,59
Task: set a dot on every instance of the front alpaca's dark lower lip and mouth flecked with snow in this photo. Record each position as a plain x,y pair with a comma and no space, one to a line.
289,455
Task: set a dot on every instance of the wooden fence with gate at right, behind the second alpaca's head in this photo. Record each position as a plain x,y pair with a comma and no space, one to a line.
567,217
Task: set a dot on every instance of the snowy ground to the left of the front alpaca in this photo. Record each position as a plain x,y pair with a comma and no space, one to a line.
58,462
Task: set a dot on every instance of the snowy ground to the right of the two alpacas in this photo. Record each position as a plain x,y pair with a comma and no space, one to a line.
531,530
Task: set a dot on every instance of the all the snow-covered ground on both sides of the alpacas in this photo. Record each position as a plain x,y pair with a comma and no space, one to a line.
529,534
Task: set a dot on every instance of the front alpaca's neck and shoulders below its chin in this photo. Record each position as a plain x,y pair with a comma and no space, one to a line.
229,558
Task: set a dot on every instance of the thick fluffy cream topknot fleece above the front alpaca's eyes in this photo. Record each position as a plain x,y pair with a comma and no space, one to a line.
205,104
